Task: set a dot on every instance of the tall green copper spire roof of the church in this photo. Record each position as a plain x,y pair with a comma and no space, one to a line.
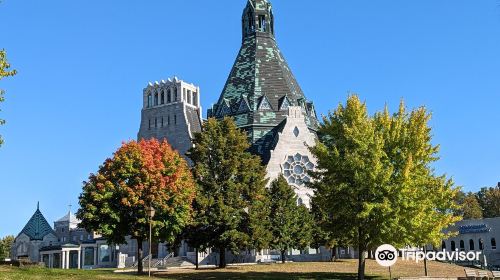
261,86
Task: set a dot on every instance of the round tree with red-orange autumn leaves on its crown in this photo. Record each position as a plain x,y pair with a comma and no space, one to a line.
139,175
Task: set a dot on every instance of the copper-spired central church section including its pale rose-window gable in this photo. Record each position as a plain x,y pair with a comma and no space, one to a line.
265,100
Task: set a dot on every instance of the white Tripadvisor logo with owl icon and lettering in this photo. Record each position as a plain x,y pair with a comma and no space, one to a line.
386,255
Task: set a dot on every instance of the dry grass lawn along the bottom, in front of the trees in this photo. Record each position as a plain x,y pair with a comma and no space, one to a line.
290,271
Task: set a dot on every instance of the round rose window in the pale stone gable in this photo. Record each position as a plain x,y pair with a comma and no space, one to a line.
295,169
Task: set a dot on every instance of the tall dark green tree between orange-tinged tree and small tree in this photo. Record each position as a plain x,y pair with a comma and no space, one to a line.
231,189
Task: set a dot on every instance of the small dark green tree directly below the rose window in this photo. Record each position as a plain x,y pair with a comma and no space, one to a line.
291,224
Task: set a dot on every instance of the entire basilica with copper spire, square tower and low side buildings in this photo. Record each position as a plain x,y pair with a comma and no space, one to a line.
266,101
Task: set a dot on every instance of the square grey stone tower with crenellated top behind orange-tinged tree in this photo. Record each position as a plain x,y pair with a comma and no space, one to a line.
171,111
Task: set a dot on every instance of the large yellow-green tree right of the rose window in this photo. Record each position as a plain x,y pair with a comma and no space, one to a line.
375,182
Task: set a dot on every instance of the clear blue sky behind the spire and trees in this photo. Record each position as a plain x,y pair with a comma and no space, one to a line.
83,64
